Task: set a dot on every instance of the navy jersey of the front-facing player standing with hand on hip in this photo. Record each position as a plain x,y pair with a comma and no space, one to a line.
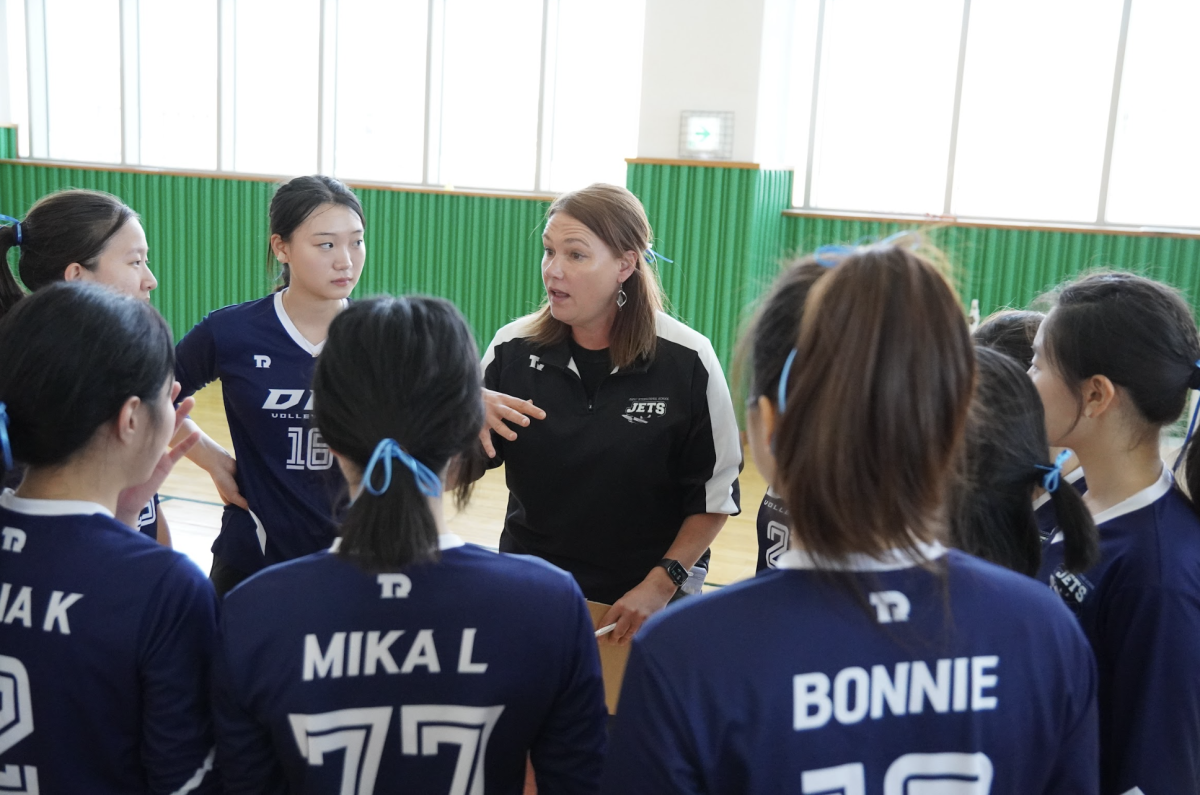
285,469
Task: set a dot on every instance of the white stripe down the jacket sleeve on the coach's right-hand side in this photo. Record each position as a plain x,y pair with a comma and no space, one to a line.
727,438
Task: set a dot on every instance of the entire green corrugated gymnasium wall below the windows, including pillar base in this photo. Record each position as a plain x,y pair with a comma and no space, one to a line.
724,228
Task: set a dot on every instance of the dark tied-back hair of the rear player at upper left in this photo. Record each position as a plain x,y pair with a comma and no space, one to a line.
61,229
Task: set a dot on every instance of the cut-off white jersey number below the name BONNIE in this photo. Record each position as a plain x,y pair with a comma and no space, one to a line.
949,774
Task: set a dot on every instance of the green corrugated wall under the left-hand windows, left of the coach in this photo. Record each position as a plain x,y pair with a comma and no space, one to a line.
208,242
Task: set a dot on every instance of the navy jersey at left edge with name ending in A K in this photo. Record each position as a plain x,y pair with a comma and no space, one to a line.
106,641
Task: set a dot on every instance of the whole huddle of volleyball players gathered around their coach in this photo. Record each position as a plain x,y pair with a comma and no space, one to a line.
977,573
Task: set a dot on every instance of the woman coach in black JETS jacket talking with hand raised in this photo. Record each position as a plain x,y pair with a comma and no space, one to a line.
629,467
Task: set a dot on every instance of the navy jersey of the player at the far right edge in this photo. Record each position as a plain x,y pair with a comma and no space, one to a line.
1141,609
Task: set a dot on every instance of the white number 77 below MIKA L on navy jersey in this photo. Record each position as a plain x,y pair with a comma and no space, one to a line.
424,728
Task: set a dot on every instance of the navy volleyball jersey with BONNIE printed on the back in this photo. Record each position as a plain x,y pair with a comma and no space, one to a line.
824,694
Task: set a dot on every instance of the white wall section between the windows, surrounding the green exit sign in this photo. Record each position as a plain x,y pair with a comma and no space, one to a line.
700,56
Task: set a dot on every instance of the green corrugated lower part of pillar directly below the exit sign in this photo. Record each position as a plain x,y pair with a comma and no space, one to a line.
722,228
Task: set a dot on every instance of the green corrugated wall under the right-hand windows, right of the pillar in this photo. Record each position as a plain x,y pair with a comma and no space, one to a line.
1013,267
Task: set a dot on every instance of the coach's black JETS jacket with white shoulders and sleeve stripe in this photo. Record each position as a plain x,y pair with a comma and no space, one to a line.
602,488
